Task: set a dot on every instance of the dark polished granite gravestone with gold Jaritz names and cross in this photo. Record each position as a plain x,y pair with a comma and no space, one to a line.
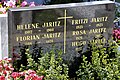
66,27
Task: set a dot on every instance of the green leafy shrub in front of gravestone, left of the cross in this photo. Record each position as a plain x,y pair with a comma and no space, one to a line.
49,65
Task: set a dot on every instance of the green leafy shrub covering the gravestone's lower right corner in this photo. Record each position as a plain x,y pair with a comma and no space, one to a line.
104,64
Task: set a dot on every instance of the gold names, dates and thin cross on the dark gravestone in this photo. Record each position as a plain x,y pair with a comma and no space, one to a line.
76,33
